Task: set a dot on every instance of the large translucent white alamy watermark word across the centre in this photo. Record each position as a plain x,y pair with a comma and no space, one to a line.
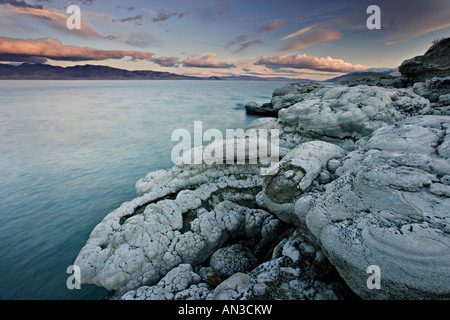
239,147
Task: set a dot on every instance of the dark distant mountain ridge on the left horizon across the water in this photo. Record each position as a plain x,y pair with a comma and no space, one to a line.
27,71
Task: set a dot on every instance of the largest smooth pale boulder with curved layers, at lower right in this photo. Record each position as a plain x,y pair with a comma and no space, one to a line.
390,208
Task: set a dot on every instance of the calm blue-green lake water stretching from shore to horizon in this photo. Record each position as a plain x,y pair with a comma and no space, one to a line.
72,151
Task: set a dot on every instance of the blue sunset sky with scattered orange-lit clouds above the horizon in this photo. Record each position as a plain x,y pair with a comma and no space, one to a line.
311,39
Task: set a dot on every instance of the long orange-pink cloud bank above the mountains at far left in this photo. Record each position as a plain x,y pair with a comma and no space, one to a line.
50,48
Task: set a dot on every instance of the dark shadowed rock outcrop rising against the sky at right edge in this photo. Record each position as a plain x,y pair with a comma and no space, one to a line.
434,63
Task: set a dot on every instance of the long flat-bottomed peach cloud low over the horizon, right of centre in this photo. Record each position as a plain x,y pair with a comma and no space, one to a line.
303,61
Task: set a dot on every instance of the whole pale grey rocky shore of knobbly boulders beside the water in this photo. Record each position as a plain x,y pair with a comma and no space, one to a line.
363,180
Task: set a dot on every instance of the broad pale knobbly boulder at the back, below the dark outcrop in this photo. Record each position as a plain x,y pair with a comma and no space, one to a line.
342,115
